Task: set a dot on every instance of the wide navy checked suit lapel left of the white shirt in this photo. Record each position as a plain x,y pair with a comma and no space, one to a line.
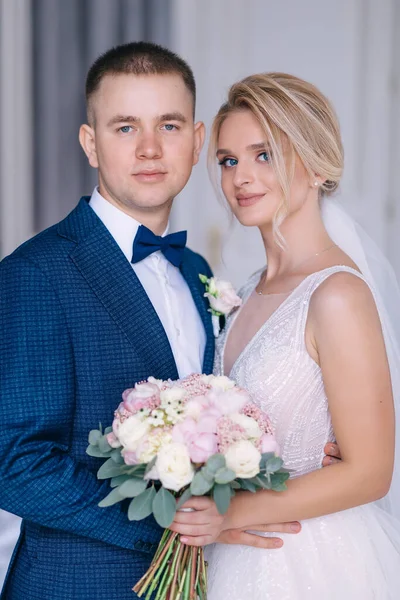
112,279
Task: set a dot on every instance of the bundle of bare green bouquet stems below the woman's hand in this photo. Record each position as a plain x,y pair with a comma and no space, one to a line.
177,572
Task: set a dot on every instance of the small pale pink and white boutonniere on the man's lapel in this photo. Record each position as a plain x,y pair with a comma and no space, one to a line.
222,298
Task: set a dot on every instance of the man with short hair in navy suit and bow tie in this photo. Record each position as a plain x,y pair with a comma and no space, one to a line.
88,311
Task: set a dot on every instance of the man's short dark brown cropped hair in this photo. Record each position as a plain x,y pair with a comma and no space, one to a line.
137,58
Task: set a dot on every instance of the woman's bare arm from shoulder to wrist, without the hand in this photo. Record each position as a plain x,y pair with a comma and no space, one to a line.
346,336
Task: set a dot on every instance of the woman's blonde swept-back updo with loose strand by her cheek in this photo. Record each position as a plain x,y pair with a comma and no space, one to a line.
296,119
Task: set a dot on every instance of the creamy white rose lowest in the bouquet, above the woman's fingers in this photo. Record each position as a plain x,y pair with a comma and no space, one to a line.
173,466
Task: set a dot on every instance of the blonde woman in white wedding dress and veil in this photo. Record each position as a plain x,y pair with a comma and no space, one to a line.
314,346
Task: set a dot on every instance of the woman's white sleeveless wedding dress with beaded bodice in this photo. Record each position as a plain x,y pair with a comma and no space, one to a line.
350,555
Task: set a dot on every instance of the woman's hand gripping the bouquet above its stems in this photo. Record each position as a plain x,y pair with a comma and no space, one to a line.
202,525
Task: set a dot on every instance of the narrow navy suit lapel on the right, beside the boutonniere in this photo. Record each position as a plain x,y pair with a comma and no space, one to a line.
191,275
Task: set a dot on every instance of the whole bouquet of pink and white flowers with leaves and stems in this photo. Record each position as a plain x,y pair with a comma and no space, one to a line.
171,440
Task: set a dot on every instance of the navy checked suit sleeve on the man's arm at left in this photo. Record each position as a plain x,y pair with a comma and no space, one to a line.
39,480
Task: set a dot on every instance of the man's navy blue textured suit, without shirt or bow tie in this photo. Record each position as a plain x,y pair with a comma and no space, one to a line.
77,329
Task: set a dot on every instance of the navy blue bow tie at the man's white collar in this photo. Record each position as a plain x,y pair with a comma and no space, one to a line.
146,242
